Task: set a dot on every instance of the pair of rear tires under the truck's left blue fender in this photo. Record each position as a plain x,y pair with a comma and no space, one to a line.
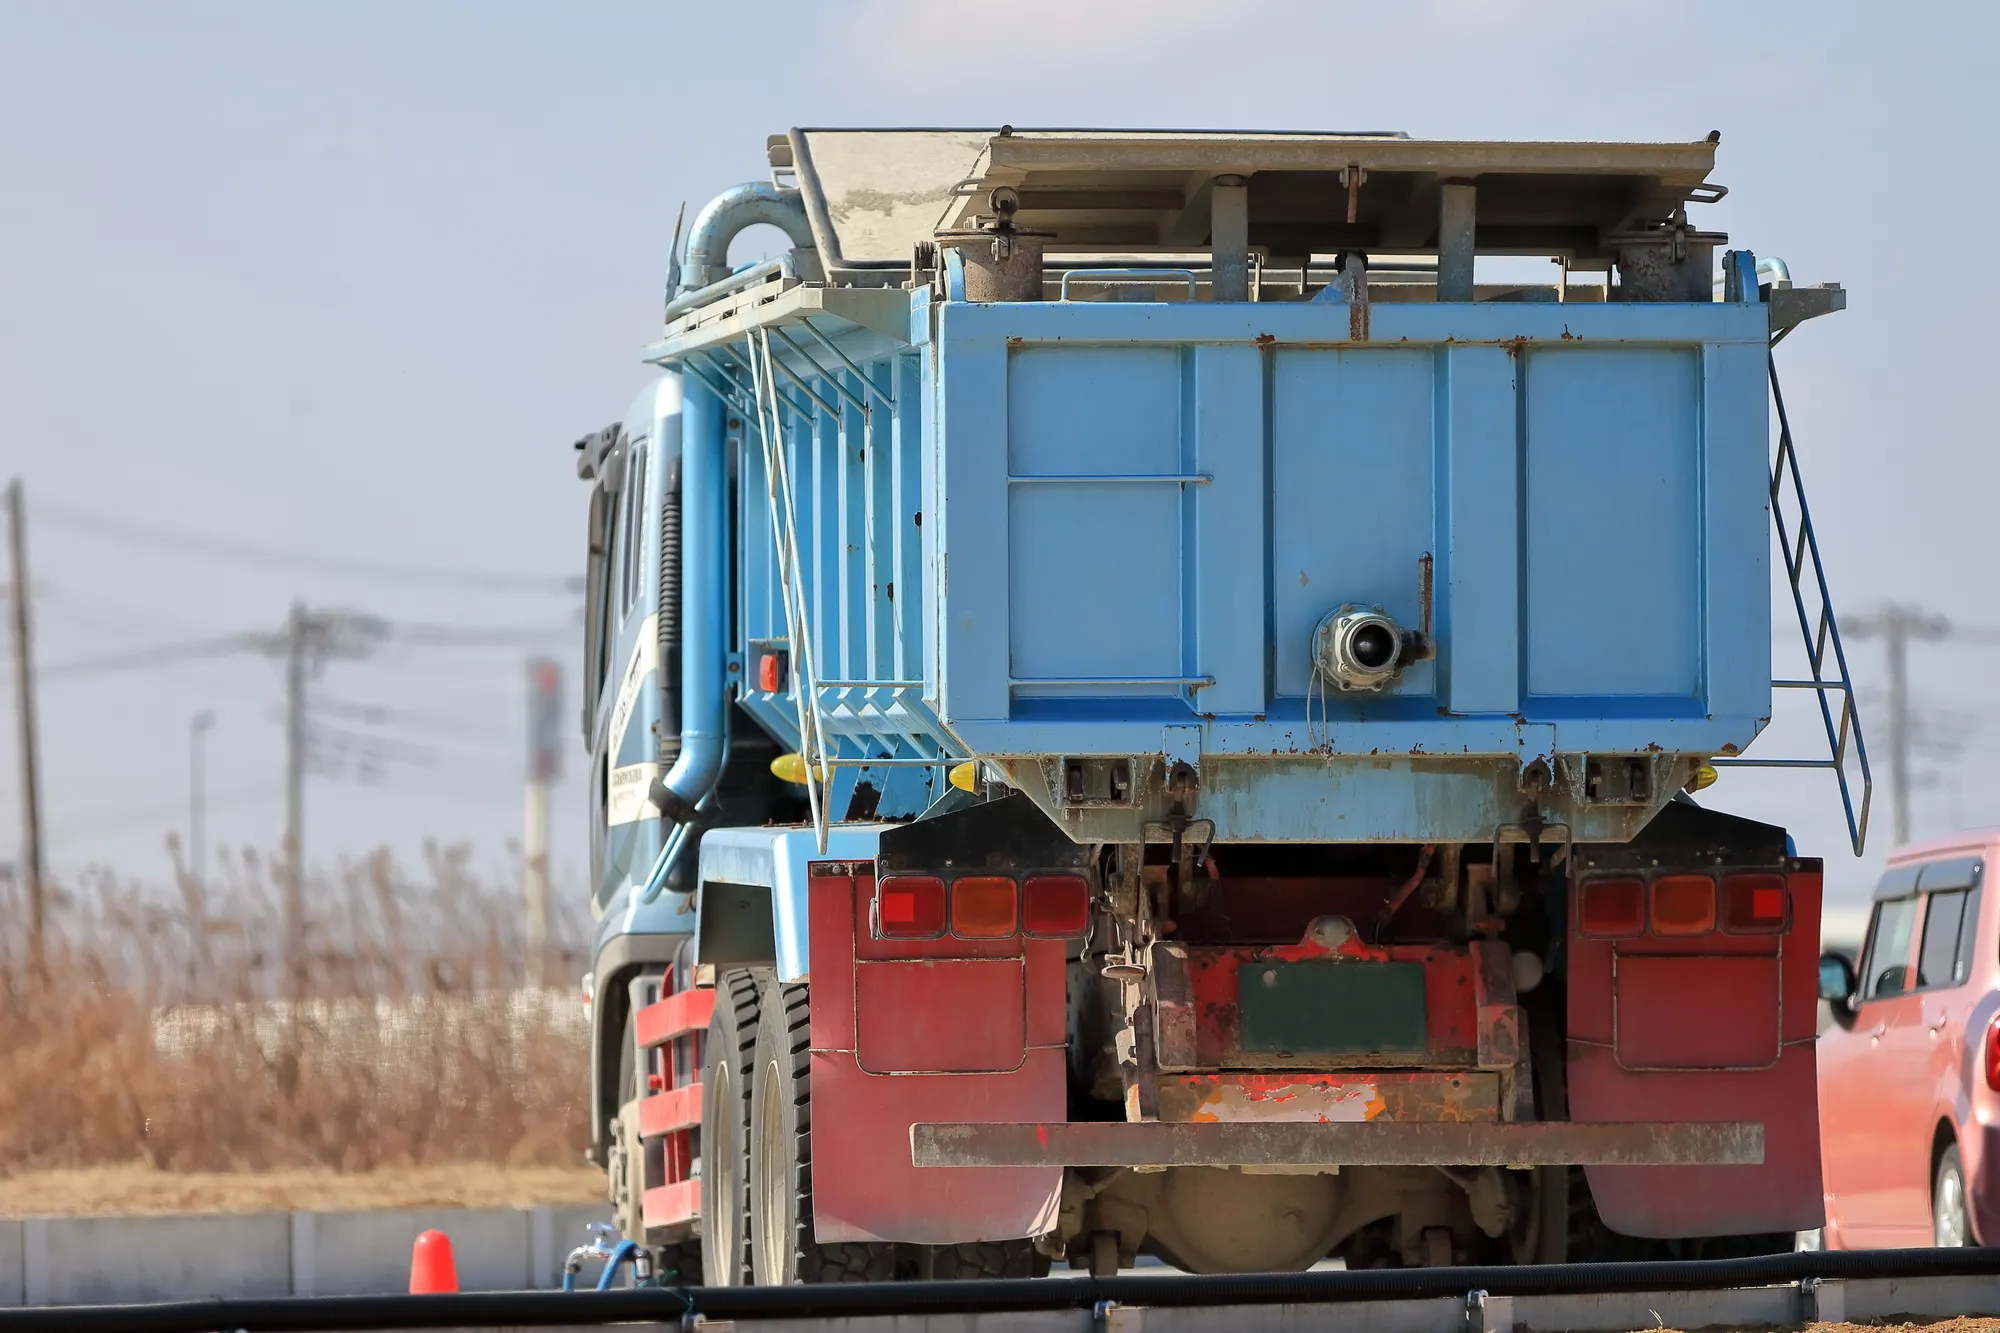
757,1160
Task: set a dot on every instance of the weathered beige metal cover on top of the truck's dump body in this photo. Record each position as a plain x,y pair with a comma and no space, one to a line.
873,195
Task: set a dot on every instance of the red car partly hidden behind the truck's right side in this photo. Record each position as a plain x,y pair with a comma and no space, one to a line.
1911,1066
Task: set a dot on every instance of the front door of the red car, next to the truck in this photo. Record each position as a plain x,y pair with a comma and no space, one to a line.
1873,1084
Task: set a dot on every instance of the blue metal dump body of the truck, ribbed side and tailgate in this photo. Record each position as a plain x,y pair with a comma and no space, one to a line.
1057,529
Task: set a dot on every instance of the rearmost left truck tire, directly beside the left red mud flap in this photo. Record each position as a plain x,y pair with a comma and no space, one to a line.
781,1162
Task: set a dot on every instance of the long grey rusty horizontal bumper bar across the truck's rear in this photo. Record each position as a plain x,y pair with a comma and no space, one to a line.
1337,1146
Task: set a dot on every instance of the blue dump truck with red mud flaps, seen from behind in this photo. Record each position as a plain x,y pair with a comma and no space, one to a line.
1145,694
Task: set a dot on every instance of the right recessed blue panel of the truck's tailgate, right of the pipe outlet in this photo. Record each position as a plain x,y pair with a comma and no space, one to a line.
1613,523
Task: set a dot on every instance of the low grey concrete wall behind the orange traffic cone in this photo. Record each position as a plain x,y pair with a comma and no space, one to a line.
113,1260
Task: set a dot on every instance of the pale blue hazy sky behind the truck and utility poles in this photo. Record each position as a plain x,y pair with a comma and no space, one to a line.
351,277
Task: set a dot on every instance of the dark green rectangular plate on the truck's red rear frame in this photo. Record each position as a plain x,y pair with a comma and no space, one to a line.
1331,1008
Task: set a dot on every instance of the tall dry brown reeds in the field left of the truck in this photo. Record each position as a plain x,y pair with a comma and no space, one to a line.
179,1032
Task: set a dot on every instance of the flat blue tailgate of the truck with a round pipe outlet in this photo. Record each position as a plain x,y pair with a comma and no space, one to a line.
1415,443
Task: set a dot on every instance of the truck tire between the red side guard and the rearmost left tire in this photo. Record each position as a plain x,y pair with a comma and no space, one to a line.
729,1066
